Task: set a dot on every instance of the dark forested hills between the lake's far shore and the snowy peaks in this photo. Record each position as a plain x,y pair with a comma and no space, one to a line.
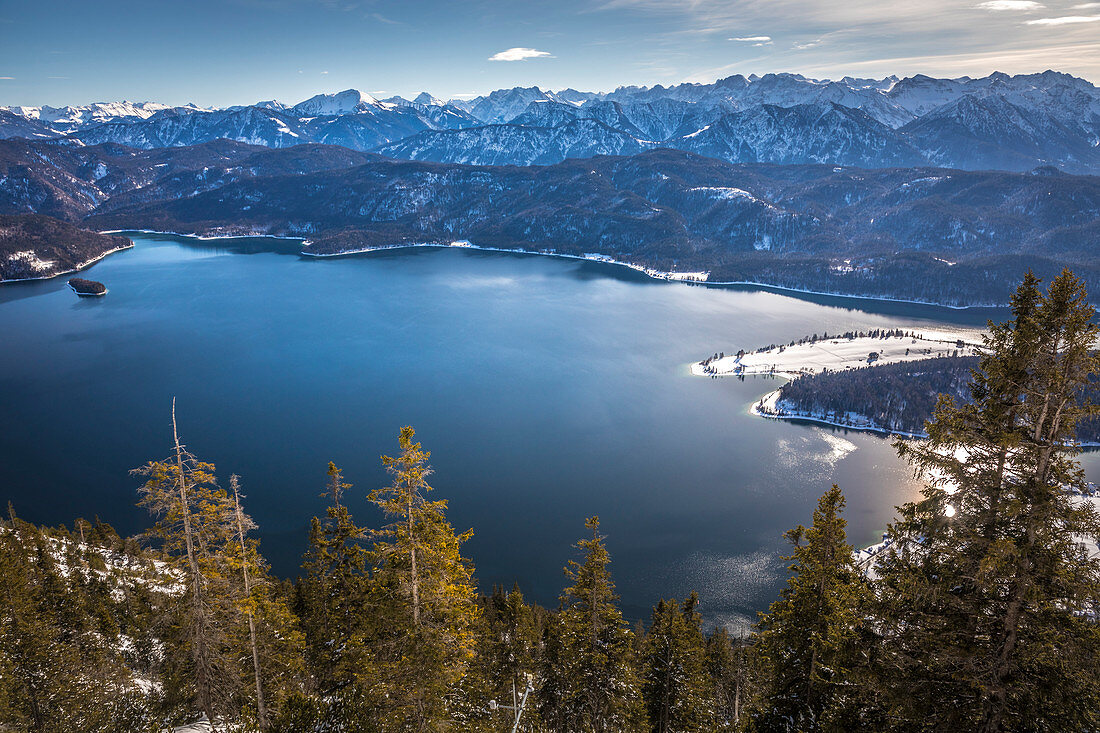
923,234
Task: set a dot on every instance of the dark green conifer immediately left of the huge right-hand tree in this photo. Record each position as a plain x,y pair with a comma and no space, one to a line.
807,641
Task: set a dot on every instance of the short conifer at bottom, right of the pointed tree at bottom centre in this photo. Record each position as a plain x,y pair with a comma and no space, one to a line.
677,688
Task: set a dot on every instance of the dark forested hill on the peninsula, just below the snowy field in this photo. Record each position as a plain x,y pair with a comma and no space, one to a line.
897,398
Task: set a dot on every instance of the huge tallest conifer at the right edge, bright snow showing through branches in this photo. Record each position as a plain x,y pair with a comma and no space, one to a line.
988,598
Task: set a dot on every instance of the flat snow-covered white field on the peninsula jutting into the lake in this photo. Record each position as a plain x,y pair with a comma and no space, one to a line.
841,354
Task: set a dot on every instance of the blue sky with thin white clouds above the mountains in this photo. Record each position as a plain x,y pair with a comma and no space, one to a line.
230,52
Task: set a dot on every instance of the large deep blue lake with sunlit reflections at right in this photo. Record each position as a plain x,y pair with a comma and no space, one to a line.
547,390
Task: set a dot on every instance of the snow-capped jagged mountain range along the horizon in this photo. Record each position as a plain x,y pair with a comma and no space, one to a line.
996,123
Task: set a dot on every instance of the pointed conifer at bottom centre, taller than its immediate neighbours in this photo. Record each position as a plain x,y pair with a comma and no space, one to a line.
591,682
